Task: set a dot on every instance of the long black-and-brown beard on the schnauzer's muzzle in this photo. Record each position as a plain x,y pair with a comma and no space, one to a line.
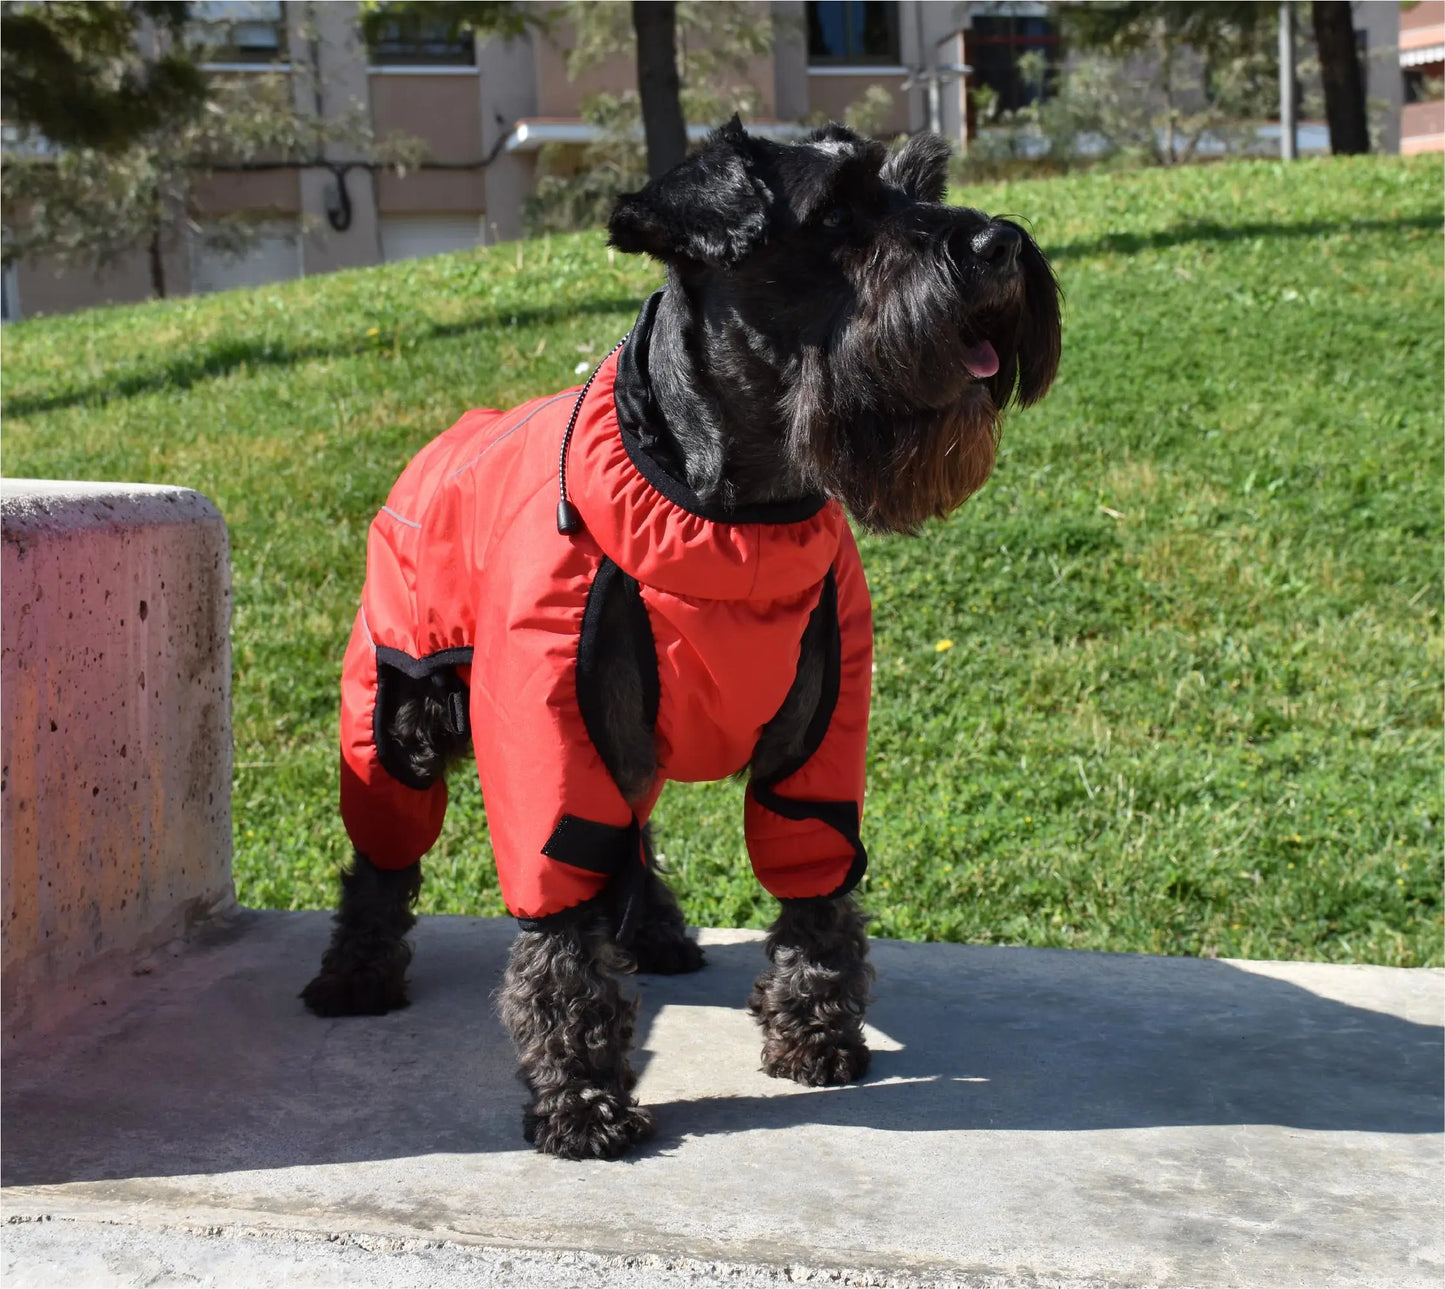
897,413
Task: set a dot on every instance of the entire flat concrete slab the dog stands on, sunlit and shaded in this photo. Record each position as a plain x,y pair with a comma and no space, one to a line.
1034,1119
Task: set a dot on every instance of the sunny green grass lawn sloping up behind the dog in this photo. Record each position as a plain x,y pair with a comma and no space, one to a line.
1171,683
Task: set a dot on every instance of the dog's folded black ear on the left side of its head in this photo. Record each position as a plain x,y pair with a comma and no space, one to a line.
710,209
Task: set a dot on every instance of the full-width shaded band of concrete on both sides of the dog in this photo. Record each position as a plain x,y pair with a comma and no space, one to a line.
215,1067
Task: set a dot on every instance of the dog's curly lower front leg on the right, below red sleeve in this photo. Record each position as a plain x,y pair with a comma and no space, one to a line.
813,998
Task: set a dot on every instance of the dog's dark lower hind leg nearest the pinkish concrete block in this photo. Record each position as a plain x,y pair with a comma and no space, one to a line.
363,973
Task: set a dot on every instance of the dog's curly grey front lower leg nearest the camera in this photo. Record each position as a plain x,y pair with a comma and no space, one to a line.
573,1028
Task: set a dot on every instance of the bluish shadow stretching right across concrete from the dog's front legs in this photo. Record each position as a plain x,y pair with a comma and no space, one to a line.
1025,1041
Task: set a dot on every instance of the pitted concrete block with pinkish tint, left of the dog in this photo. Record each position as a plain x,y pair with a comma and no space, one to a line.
116,720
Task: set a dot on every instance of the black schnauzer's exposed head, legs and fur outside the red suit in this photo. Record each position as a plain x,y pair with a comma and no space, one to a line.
829,330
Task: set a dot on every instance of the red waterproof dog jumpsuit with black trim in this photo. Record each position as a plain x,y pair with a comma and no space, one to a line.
467,570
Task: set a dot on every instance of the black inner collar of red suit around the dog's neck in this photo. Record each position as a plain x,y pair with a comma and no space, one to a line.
648,440
